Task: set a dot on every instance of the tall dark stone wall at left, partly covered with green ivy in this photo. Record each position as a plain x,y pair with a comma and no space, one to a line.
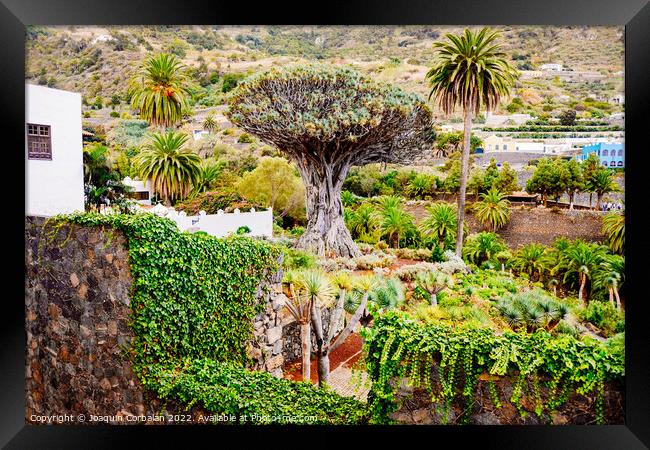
127,316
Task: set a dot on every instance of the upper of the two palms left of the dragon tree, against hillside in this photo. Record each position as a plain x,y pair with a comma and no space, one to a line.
159,90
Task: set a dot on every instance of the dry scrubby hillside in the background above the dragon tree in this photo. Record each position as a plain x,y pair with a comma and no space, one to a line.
98,61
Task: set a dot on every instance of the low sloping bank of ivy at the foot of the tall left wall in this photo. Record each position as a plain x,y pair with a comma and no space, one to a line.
253,397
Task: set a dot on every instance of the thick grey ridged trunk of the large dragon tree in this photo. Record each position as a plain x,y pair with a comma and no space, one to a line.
326,233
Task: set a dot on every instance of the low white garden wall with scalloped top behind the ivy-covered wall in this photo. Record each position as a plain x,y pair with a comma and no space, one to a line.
260,223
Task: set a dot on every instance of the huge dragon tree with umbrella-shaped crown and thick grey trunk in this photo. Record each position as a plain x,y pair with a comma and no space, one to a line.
327,119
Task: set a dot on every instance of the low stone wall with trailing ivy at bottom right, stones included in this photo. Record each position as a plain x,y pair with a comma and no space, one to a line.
441,374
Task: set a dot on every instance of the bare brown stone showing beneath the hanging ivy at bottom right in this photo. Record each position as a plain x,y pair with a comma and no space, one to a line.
416,407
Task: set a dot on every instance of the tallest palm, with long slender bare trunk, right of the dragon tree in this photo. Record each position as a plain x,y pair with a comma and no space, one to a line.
472,72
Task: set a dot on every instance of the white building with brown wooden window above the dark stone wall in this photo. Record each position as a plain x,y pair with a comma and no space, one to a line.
53,152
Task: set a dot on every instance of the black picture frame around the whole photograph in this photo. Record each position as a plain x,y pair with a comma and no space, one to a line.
633,14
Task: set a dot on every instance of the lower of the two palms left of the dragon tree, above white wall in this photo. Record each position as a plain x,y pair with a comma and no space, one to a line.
173,170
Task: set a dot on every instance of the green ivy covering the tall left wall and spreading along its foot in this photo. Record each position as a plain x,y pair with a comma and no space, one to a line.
193,302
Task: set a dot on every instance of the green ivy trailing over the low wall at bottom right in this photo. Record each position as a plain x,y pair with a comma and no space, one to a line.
398,347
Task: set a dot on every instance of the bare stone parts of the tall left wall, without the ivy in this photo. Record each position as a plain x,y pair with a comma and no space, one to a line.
77,325
